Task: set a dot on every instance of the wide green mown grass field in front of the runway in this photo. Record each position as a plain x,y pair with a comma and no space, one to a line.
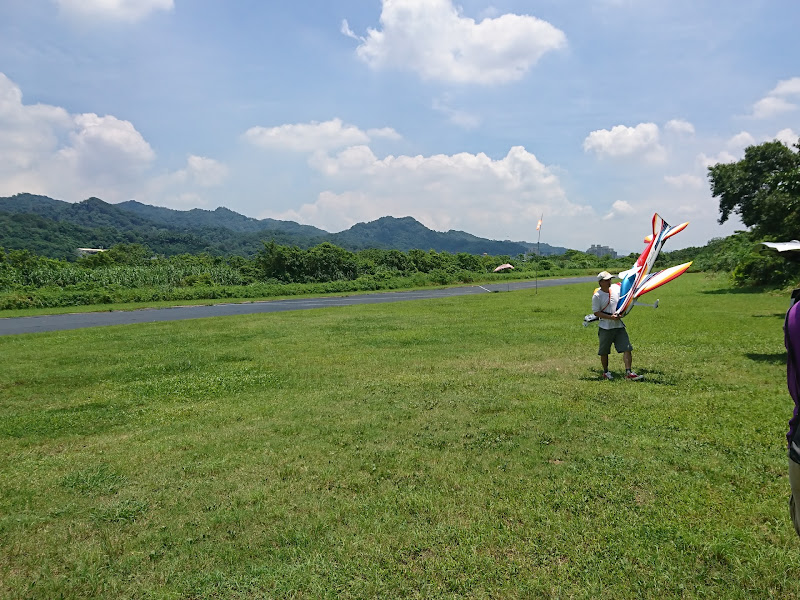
433,449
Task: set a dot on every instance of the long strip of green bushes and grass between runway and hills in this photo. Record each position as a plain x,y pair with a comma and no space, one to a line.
131,273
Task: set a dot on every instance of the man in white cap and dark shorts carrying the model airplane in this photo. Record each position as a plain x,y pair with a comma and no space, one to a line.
611,328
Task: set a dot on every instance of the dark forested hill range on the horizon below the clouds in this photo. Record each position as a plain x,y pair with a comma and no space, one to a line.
55,228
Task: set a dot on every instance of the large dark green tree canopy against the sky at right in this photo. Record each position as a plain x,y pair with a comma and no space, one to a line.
763,189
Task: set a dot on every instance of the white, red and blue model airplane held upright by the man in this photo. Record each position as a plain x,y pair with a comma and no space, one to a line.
638,280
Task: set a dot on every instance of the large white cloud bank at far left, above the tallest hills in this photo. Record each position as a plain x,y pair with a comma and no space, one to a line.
46,150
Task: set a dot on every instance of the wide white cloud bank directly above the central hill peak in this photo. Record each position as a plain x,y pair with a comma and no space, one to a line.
442,191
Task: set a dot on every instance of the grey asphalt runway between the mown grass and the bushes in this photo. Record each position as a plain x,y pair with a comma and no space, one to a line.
19,325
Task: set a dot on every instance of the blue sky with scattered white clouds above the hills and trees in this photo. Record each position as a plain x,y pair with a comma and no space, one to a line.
478,116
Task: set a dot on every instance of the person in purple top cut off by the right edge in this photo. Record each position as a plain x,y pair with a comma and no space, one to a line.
791,338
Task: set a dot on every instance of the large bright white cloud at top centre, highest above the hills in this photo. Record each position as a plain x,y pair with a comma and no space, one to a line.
433,38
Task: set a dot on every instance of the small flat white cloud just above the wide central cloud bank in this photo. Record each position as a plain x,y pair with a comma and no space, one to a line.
314,136
